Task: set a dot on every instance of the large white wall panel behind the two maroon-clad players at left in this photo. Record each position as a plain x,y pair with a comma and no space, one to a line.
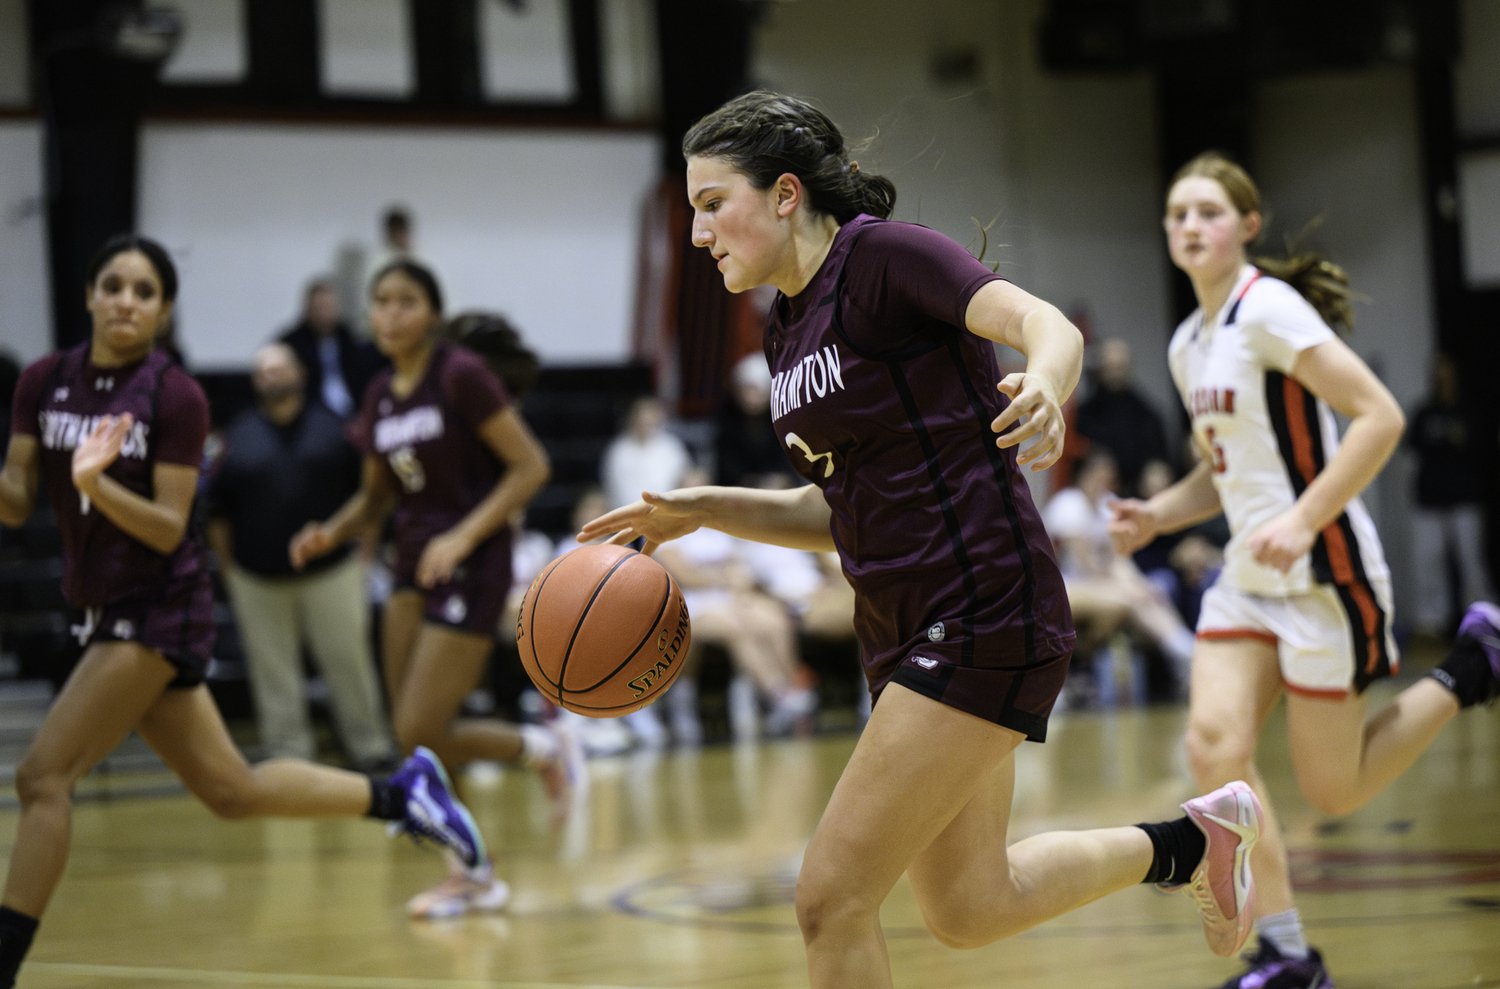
542,226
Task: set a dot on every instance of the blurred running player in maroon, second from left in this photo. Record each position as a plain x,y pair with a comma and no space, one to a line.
452,457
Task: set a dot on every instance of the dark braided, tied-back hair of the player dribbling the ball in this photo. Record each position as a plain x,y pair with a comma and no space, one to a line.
767,136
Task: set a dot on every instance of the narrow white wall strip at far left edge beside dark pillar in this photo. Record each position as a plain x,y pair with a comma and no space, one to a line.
26,302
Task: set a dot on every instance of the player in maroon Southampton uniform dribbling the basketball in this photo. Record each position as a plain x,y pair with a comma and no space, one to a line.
886,394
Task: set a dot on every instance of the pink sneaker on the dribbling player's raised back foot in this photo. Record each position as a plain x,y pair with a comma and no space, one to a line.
1223,886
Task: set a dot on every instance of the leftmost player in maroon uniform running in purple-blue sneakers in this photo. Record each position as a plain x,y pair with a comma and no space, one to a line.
116,430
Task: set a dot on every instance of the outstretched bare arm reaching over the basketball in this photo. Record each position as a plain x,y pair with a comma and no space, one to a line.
796,517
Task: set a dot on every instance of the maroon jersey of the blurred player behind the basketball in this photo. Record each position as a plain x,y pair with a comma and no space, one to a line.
431,445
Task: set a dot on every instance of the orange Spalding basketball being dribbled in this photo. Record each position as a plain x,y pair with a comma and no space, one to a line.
604,631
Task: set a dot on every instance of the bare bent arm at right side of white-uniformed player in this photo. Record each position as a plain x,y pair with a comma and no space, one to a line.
1336,374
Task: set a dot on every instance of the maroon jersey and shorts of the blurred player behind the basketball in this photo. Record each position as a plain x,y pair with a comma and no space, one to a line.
430,442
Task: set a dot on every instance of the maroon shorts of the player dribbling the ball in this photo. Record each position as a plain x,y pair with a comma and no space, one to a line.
1016,696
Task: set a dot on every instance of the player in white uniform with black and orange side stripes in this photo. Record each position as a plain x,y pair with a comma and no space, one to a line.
1304,603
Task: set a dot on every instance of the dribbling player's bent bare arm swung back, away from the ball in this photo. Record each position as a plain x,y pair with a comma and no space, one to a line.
1054,347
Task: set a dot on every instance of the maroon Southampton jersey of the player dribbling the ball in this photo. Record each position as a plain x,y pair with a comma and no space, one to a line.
883,400
